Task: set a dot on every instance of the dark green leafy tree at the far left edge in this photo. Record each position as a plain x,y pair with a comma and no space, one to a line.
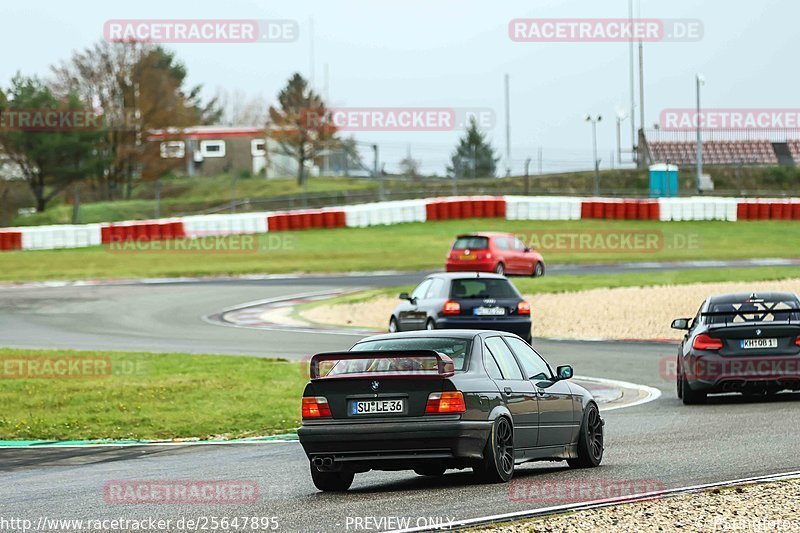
50,157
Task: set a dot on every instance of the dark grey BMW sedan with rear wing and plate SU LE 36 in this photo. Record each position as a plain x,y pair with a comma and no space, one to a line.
429,401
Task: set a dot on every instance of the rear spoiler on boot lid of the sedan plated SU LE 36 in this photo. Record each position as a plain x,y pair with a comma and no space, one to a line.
444,365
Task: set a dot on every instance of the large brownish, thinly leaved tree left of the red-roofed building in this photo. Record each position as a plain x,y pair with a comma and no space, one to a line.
139,87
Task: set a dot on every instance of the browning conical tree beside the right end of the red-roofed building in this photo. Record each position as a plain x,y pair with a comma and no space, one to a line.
298,124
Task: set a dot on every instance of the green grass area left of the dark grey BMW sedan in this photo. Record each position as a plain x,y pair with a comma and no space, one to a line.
150,396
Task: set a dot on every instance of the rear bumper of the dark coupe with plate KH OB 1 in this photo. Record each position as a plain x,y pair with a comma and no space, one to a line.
715,373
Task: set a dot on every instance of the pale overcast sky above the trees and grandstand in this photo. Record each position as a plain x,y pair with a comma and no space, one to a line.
454,53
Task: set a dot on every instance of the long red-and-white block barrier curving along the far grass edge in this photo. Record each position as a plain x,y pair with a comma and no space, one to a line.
399,212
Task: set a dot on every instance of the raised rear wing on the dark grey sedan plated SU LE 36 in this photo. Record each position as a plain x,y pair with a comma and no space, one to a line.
395,364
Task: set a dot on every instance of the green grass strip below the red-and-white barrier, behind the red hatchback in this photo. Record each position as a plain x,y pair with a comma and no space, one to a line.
405,247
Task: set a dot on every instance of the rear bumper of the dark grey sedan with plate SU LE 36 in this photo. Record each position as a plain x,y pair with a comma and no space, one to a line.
373,444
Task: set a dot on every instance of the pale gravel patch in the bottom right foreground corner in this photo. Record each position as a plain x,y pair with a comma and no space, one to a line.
771,506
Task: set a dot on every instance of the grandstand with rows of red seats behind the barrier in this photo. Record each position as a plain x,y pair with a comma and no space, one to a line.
729,148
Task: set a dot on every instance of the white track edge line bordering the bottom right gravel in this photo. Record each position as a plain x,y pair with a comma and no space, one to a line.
597,504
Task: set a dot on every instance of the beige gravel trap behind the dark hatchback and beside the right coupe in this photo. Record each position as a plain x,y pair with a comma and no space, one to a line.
622,313
